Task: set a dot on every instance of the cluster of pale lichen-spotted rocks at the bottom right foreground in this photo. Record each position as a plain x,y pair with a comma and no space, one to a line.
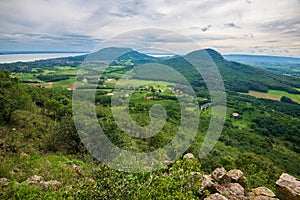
232,185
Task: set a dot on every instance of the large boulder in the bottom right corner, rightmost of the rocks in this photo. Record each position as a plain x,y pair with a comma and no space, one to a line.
288,187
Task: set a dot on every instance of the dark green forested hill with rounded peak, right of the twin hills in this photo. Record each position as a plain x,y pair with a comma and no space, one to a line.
236,76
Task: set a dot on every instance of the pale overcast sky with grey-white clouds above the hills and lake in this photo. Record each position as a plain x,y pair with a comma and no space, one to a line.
262,27
